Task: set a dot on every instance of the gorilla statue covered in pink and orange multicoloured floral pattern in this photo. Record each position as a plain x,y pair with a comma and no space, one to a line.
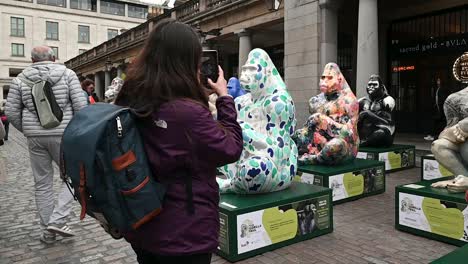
330,135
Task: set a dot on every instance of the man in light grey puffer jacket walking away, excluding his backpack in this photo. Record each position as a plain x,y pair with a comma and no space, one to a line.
44,144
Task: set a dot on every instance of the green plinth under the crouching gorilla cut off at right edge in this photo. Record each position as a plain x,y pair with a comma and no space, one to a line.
432,212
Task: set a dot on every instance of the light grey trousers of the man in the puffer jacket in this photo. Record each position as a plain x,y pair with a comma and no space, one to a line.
42,151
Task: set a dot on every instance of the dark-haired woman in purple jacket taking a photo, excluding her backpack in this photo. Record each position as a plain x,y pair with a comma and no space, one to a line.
181,139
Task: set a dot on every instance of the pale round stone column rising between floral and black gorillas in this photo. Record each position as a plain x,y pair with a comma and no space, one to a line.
368,45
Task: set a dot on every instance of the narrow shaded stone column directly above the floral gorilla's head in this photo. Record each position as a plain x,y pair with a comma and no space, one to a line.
329,32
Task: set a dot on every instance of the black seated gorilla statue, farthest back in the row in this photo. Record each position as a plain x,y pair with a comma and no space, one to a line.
375,124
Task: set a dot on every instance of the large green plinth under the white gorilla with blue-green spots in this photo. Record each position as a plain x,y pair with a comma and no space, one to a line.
254,224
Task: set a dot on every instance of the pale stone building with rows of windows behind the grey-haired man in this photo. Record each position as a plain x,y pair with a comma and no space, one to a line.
70,27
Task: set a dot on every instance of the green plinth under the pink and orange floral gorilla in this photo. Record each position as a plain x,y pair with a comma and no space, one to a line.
349,181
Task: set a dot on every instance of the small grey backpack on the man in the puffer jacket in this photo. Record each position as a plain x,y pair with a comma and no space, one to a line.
48,111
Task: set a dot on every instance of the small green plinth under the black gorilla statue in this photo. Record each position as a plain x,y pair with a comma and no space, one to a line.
396,157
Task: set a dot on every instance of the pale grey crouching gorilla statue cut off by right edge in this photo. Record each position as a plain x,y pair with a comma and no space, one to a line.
451,149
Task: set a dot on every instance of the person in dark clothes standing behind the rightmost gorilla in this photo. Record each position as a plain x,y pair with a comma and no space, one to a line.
438,117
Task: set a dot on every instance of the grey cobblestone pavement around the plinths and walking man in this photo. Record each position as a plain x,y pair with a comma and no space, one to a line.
364,229
